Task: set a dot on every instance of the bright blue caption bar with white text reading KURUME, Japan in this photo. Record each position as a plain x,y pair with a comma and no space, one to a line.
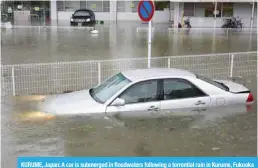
137,162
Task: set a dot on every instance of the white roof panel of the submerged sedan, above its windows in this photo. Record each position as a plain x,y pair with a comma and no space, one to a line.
140,74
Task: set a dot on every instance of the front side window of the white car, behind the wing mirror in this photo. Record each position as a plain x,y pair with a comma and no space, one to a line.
141,92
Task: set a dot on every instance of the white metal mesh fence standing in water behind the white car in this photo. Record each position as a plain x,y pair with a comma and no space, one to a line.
50,78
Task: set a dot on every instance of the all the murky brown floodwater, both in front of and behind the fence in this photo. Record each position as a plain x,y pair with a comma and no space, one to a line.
27,132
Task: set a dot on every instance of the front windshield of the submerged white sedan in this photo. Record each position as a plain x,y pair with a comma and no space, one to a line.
109,87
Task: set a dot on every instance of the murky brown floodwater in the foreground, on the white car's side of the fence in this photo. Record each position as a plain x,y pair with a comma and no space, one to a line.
27,133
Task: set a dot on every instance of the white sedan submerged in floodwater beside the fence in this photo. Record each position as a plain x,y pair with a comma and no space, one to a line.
150,91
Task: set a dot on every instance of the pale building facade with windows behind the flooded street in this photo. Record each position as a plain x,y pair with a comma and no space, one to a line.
200,12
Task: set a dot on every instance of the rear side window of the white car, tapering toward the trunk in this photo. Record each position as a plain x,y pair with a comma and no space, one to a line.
179,89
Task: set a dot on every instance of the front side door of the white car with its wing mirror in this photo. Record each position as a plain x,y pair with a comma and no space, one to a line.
140,99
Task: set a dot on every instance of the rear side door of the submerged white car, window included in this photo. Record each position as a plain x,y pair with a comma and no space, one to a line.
181,97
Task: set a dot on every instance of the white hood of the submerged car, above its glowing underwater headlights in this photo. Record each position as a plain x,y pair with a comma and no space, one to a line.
79,102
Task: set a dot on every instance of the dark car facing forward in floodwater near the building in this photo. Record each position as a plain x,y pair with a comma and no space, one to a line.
82,17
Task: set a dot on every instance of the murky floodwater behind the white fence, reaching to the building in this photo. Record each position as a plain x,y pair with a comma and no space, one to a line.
125,40
